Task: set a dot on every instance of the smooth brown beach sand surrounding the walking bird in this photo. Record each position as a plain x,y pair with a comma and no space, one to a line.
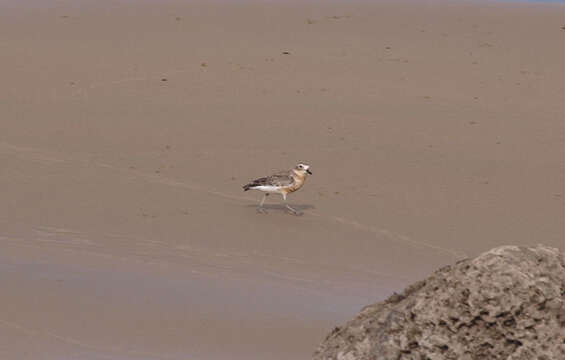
435,130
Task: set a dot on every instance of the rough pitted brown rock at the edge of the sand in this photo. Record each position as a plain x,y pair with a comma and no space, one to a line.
508,303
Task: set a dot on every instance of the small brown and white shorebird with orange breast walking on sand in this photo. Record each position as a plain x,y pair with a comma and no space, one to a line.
282,182
